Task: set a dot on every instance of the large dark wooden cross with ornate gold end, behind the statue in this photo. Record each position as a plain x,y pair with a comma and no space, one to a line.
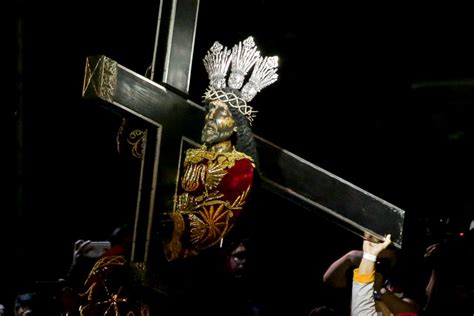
174,121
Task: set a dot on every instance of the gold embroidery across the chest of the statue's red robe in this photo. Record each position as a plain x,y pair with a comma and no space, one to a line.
208,216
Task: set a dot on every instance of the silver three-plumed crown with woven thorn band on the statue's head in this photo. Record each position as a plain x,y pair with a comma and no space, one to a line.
241,59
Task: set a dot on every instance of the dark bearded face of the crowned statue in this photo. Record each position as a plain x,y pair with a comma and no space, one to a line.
219,124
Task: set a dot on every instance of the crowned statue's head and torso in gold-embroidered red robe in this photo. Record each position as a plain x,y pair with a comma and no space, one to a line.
217,178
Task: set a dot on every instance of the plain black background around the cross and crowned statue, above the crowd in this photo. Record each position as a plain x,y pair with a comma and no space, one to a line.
348,100
